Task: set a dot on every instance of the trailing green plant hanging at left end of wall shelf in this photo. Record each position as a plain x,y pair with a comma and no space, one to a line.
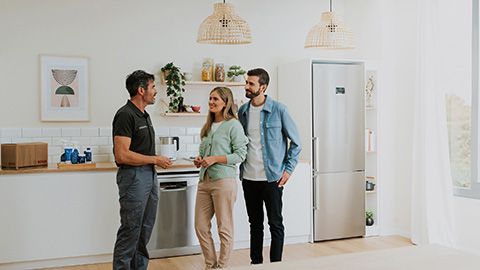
175,80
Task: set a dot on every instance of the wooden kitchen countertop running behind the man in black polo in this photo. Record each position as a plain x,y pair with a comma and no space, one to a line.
101,166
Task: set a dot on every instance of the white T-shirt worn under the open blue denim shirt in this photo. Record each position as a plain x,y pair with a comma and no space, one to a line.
253,167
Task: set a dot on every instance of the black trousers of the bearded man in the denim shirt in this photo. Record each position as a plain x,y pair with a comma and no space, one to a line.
256,193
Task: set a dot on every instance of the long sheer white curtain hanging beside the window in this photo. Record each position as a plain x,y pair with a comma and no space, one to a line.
432,191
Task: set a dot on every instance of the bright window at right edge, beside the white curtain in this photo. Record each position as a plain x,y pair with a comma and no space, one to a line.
462,103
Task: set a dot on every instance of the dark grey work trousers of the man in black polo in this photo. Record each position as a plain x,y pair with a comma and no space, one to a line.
138,191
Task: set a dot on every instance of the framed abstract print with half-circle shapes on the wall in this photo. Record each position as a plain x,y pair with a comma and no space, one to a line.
64,88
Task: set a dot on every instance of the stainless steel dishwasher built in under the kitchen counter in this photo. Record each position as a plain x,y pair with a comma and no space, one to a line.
174,232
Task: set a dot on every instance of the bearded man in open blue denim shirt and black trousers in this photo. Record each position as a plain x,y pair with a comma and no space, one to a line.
270,162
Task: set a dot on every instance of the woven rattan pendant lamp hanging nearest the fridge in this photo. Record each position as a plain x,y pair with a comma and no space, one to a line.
330,33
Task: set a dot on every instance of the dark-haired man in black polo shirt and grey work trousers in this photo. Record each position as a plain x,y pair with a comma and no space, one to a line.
134,150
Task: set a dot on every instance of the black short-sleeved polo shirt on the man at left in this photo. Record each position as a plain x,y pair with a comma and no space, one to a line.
130,122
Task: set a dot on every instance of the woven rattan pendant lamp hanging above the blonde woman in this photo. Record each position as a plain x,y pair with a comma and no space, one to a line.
224,27
